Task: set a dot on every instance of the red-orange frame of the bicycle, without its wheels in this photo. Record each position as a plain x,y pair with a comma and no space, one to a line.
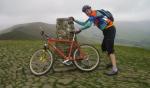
72,43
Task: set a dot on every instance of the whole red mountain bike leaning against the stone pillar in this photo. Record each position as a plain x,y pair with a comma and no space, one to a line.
85,57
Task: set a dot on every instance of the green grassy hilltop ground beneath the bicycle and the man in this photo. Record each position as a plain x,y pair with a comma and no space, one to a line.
14,69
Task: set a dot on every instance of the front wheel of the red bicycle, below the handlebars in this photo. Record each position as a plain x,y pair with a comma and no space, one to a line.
41,62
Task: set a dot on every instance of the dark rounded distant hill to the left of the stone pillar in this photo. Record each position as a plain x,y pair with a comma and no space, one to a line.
28,31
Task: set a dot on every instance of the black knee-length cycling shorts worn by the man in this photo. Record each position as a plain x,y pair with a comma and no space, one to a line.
108,41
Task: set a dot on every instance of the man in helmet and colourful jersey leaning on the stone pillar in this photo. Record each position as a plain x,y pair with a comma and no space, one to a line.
109,32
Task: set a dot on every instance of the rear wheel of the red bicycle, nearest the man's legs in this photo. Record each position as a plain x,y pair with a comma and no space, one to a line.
90,59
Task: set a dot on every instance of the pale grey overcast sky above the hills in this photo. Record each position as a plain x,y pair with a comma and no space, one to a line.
23,11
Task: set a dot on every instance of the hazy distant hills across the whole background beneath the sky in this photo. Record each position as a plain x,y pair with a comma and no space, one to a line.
128,33
